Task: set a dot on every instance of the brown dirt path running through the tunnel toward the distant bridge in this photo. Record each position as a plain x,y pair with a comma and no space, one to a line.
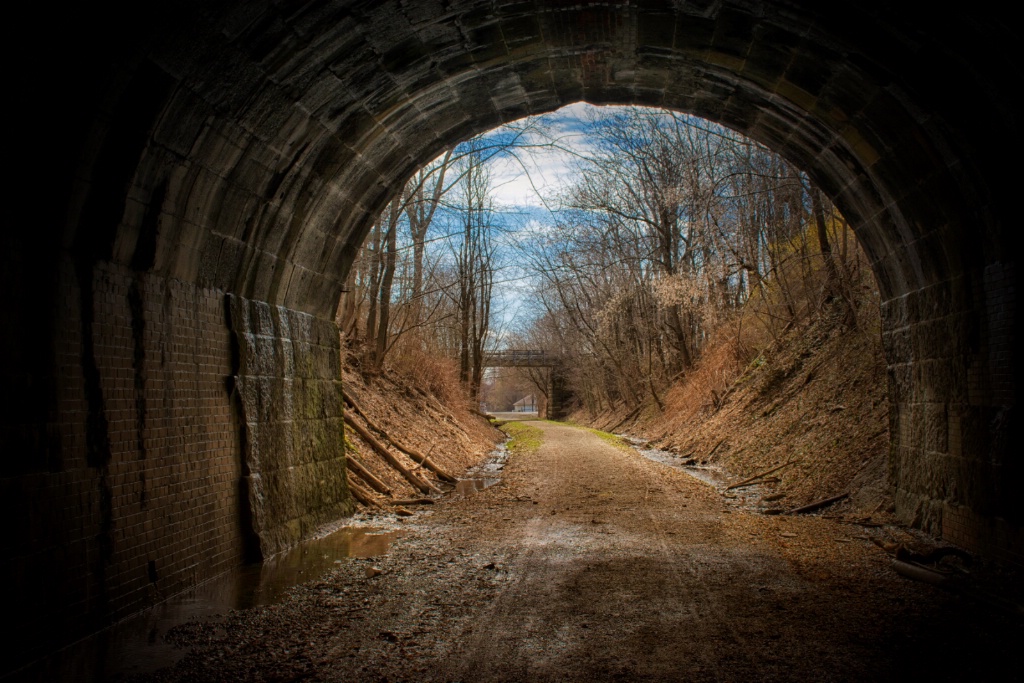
591,564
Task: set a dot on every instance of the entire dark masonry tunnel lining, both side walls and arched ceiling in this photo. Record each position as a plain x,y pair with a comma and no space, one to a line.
193,182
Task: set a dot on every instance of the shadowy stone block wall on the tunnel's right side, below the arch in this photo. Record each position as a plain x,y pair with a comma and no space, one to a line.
956,458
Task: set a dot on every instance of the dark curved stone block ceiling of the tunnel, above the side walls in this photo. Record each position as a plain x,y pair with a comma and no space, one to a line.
247,146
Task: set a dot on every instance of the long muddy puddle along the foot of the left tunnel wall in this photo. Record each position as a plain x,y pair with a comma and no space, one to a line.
140,646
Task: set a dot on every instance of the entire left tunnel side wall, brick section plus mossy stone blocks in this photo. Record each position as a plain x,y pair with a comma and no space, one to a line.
176,447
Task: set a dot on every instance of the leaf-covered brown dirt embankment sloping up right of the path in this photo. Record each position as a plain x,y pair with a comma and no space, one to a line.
817,399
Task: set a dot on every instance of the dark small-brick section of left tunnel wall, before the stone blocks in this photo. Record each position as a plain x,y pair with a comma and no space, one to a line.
142,498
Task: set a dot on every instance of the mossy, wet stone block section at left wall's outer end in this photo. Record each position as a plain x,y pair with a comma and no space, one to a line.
288,391
